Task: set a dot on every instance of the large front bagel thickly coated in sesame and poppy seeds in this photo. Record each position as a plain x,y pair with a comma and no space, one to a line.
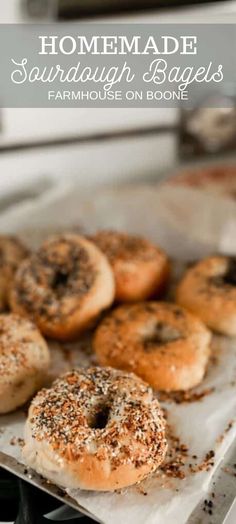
95,429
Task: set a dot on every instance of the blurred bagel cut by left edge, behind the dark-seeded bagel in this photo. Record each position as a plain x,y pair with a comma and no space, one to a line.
12,252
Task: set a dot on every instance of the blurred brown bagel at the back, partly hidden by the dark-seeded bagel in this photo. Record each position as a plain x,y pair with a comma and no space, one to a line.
140,269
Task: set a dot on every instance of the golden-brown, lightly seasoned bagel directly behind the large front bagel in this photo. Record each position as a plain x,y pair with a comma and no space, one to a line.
160,342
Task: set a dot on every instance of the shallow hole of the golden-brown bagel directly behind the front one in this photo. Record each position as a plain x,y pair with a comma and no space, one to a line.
160,335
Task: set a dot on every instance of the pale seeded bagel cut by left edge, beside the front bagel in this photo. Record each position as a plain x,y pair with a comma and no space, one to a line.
24,361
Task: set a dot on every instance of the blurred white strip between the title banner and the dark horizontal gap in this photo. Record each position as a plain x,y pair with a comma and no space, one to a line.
29,125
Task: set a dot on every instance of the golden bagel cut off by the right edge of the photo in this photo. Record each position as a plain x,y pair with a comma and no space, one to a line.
208,289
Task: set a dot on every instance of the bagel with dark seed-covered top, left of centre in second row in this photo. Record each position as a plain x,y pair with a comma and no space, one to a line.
63,286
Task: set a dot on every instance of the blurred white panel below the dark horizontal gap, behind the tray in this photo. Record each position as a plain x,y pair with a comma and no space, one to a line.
92,164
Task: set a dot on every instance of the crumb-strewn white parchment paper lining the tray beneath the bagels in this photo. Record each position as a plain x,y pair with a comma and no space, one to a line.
205,427
